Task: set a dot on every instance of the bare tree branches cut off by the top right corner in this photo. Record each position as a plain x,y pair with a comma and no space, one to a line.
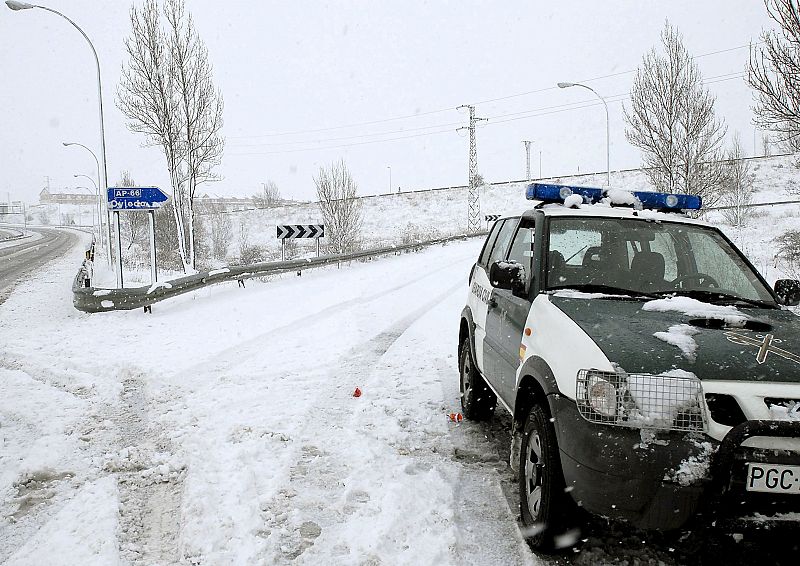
773,71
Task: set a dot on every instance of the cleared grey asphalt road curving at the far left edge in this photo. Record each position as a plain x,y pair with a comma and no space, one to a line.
30,254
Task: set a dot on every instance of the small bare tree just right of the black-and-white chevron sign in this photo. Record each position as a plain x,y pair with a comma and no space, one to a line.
340,206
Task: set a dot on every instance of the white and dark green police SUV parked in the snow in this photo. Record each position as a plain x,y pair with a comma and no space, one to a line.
652,374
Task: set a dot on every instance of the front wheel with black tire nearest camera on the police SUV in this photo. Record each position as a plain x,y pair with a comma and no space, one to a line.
547,511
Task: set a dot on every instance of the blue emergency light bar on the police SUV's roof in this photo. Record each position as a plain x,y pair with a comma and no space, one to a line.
552,193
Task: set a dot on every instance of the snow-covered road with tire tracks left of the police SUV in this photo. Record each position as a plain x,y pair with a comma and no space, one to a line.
222,429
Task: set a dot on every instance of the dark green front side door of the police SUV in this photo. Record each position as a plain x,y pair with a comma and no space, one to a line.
507,313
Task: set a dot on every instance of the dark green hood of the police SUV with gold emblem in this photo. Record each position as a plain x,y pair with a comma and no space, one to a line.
767,349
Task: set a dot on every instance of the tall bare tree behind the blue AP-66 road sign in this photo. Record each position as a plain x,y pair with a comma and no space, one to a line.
167,93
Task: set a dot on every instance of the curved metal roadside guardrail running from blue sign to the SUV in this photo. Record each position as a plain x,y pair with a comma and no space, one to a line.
90,299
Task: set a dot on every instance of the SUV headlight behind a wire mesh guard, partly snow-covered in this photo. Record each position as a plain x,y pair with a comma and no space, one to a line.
670,401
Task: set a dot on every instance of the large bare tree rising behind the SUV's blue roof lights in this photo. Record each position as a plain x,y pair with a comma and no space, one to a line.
672,120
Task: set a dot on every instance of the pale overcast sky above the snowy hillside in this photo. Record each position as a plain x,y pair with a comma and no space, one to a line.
306,83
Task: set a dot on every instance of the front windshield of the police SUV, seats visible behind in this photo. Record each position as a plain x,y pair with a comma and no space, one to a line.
648,257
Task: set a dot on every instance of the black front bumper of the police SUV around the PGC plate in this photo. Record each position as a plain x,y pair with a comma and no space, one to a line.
661,480
